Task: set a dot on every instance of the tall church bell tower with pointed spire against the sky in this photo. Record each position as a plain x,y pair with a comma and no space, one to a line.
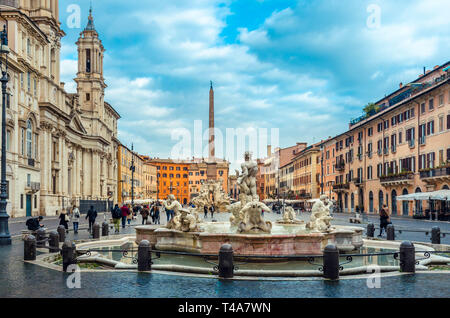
90,82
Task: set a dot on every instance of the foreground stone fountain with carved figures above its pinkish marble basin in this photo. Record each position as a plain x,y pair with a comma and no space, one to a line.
247,231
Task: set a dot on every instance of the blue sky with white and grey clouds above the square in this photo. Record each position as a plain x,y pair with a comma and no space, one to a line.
304,67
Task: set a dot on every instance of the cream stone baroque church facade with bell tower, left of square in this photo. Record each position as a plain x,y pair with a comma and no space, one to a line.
61,147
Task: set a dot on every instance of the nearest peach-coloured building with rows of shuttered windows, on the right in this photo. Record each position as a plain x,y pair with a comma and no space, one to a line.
402,148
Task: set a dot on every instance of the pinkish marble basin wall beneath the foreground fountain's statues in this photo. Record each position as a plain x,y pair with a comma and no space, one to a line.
286,240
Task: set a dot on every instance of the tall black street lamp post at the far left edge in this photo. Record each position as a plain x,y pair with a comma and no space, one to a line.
5,237
